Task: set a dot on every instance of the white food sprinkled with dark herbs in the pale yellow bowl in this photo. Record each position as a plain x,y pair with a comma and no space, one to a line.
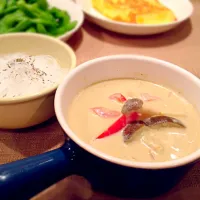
22,74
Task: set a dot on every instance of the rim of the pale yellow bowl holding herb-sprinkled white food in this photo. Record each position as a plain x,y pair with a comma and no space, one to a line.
48,90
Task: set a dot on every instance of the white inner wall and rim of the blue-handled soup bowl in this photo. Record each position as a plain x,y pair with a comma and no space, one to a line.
126,66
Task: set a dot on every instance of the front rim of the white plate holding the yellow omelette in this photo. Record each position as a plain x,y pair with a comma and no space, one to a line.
125,24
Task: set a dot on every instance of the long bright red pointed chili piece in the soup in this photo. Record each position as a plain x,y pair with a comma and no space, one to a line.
119,124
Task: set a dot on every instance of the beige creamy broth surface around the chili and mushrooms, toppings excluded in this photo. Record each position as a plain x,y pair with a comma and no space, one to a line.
148,144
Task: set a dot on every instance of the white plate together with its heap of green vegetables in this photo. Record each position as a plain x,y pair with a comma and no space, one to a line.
57,18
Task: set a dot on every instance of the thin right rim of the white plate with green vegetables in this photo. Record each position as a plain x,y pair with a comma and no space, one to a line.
78,26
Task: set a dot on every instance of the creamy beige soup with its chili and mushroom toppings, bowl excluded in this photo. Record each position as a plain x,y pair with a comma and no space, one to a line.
166,126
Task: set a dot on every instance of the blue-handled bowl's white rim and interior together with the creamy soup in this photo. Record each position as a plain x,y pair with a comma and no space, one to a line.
132,110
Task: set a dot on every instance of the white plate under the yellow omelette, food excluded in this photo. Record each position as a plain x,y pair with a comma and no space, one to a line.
183,9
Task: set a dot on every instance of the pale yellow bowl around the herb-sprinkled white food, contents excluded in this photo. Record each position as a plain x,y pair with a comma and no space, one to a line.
30,110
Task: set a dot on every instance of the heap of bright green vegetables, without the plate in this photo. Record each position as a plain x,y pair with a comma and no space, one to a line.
34,16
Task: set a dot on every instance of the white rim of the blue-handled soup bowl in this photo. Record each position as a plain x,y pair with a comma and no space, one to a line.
134,164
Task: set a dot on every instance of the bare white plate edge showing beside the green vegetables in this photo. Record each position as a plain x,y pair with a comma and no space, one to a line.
75,12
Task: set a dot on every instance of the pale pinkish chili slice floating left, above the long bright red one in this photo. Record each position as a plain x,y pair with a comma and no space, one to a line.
105,112
